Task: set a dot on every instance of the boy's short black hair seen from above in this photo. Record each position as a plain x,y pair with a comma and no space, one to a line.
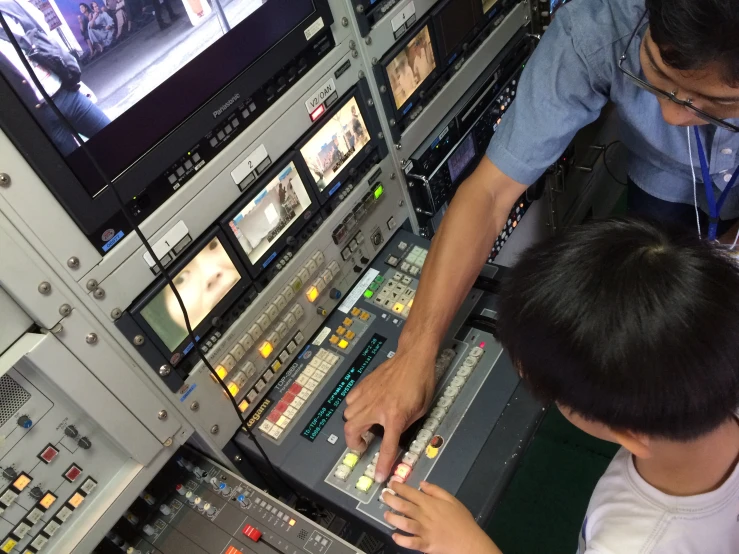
629,323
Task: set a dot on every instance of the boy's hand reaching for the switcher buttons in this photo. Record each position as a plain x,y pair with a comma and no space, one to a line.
438,522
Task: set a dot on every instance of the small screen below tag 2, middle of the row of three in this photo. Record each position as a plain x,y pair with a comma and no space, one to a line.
266,218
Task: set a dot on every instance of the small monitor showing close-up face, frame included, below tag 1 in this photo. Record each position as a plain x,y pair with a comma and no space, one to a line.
208,281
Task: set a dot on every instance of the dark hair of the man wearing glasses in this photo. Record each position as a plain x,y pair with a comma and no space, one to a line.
691,34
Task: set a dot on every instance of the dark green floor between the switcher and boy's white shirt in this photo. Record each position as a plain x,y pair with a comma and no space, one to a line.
544,505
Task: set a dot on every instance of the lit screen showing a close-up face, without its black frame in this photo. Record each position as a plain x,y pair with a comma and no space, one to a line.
202,284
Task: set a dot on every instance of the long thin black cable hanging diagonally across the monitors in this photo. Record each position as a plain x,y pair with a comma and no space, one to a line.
137,230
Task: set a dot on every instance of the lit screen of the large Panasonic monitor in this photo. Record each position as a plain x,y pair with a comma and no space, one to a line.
144,65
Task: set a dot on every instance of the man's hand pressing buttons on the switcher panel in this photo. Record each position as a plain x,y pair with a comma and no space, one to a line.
394,395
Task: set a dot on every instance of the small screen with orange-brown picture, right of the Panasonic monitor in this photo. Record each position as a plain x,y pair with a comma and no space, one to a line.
411,67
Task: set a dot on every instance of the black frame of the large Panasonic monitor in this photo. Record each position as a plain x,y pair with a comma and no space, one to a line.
91,213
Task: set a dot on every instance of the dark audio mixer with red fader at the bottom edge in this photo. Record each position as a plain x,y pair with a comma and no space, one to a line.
194,506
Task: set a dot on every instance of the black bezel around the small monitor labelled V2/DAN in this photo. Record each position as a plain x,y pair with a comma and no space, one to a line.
348,173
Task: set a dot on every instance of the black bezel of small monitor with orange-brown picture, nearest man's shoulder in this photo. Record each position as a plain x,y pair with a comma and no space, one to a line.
383,79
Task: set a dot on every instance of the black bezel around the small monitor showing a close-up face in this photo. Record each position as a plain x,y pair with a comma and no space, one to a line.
205,327
